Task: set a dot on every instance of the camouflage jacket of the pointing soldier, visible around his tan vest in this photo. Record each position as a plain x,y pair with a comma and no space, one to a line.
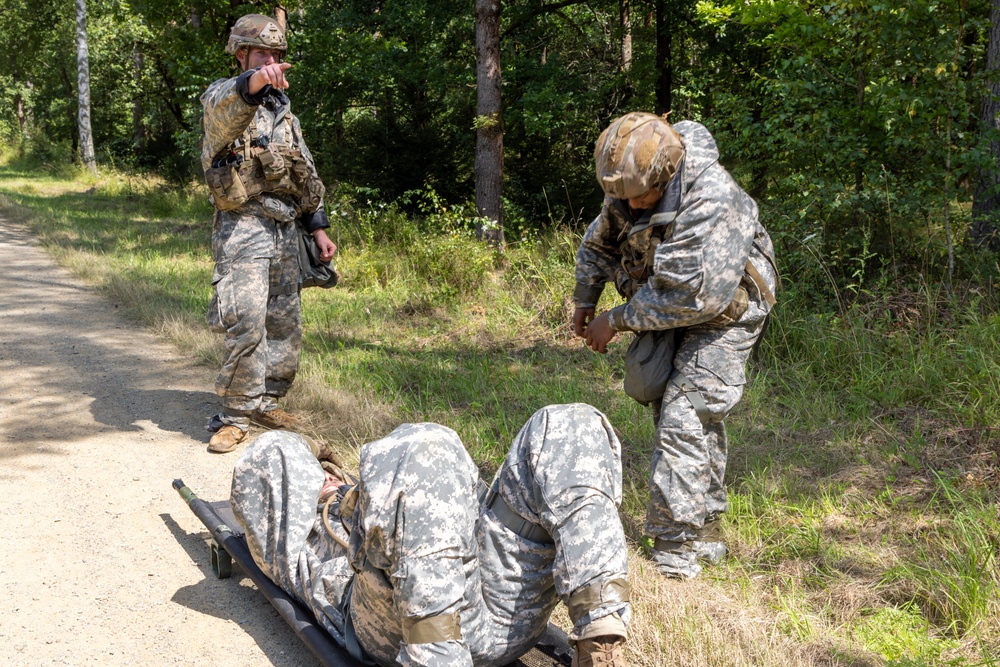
229,109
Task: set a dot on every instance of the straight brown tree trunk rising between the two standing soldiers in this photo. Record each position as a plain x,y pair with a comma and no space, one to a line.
489,124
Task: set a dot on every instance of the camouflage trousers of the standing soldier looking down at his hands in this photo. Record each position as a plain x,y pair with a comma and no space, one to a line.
687,493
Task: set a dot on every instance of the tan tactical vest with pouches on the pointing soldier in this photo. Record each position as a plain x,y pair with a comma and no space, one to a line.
254,165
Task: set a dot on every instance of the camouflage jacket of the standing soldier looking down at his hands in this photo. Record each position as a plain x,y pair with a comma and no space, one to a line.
681,263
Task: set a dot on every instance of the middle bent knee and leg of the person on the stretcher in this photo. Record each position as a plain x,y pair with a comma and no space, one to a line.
417,556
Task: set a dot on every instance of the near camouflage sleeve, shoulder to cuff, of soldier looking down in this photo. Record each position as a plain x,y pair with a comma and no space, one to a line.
699,265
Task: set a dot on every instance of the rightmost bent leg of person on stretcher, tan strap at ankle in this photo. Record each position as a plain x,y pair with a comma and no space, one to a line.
550,529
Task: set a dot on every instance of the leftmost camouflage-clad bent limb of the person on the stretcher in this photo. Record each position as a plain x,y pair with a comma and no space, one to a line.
276,485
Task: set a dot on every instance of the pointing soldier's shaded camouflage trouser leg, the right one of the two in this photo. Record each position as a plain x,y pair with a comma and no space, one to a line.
284,318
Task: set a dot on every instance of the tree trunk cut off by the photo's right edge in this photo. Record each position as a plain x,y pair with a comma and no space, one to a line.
986,199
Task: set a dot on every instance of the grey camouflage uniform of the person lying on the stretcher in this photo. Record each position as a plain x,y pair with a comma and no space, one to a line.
422,547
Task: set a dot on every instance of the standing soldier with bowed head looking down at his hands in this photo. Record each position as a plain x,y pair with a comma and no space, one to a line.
680,240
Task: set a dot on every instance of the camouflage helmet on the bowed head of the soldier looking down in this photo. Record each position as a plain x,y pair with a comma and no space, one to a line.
636,153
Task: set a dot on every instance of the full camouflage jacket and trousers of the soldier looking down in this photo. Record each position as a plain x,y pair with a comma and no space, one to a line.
693,277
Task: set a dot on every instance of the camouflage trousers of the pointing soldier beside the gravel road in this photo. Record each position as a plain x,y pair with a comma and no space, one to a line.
263,333
